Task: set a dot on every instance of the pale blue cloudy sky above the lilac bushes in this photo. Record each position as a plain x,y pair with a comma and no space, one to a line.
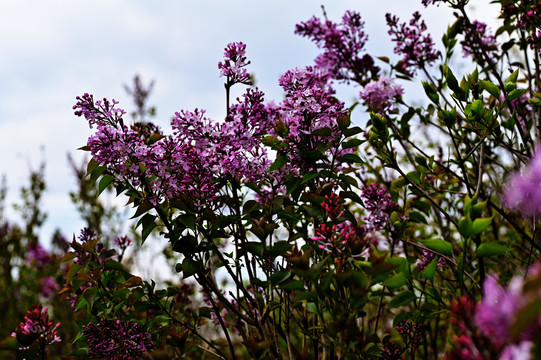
53,51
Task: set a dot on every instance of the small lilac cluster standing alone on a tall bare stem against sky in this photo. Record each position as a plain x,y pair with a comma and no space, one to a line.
233,67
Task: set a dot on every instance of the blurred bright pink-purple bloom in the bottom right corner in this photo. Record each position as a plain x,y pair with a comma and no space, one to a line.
496,312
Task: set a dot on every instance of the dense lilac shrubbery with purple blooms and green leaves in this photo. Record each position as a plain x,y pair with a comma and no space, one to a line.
413,236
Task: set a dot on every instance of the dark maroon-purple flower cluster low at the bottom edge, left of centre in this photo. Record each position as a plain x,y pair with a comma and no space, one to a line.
115,339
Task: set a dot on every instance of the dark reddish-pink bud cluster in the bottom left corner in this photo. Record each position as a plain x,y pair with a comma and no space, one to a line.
36,327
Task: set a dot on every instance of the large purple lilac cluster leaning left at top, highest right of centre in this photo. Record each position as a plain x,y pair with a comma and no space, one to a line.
342,45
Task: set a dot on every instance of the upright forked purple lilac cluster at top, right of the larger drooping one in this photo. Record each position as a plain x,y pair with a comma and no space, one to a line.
417,48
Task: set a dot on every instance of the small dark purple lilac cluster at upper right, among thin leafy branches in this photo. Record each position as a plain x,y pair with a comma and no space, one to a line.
478,40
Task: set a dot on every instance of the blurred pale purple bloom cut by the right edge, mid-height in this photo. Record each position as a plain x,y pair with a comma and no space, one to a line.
523,189
